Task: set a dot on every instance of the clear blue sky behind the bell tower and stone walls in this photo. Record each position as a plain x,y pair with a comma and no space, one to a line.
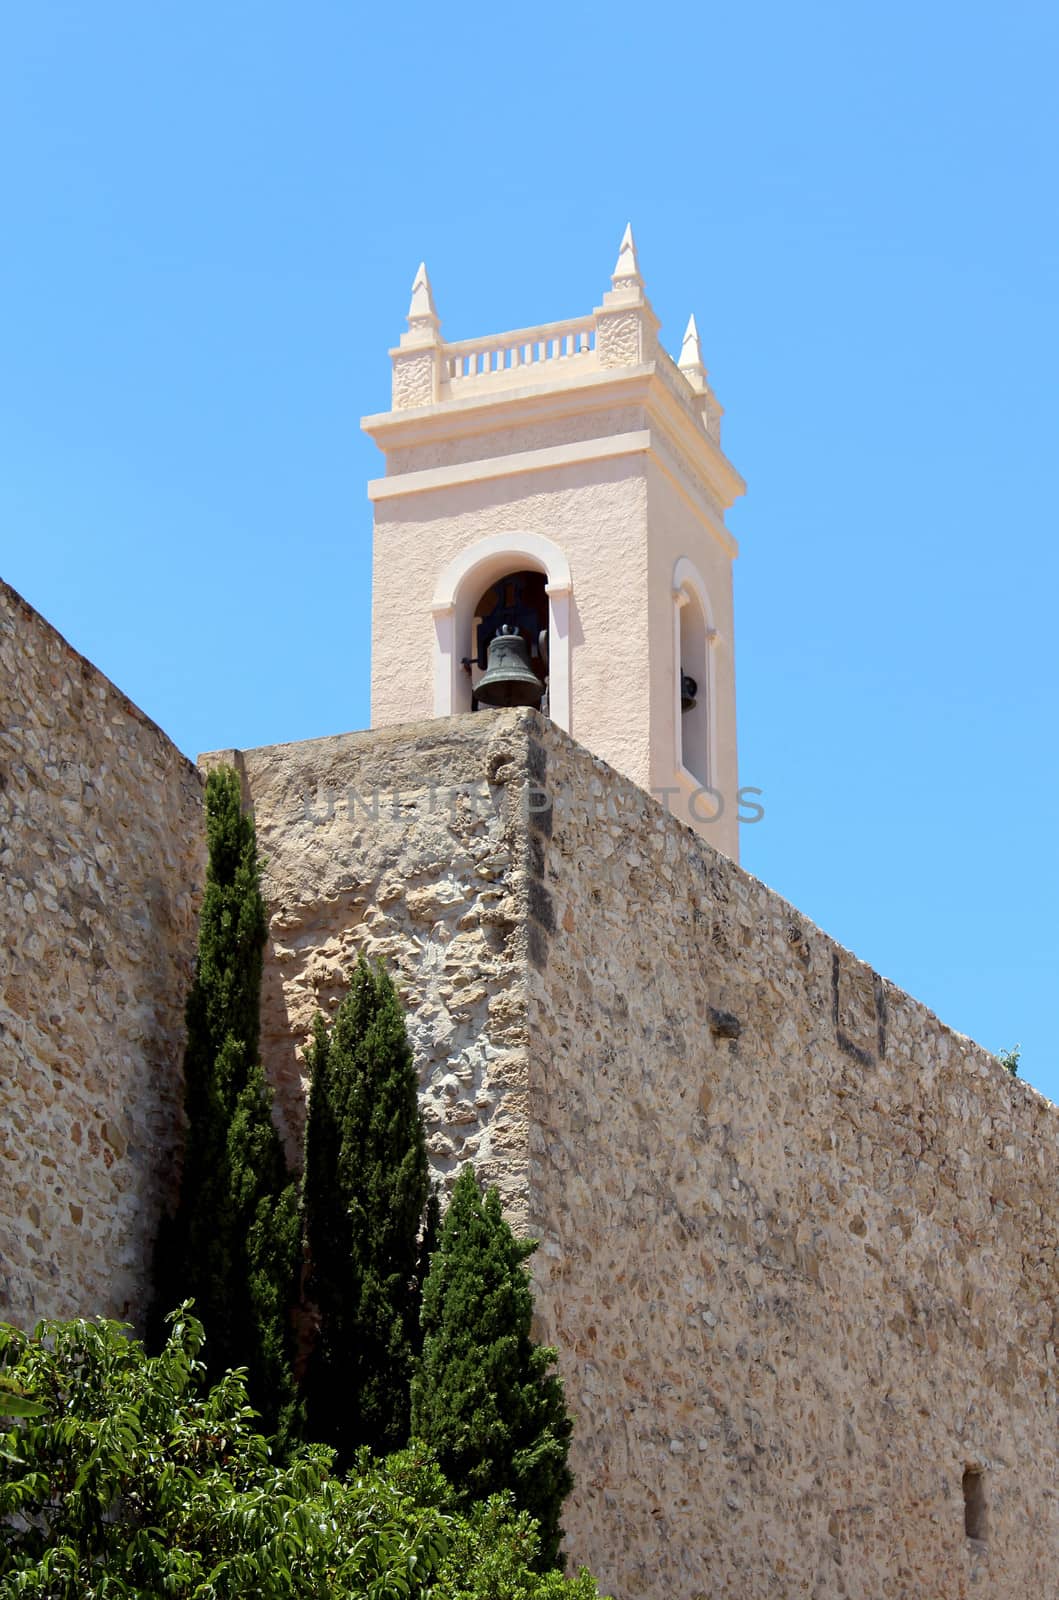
210,222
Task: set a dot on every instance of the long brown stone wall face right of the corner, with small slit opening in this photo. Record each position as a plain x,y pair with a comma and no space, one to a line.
799,1238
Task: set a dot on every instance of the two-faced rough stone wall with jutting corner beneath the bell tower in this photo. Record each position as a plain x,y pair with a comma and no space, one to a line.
799,1239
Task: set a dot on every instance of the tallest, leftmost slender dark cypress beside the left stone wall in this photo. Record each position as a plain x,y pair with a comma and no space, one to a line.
236,1242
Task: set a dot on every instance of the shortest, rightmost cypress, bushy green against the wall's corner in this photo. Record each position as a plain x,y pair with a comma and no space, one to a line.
484,1396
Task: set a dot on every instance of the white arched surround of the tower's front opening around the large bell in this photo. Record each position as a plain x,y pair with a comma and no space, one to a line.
462,594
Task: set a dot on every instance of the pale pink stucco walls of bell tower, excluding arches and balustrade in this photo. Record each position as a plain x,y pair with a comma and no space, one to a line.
621,524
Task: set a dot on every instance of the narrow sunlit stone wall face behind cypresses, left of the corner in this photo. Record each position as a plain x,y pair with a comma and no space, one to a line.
407,844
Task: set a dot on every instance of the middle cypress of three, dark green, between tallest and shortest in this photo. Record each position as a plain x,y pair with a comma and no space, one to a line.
364,1193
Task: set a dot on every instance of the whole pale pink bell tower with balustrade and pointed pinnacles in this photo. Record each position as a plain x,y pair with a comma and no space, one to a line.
553,514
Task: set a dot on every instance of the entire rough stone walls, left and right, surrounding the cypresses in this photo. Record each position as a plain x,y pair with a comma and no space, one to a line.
797,1238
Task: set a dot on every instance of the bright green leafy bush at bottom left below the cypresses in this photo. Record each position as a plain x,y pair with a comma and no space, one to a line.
135,1481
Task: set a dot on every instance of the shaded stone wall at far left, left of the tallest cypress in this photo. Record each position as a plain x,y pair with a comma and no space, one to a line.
102,863
